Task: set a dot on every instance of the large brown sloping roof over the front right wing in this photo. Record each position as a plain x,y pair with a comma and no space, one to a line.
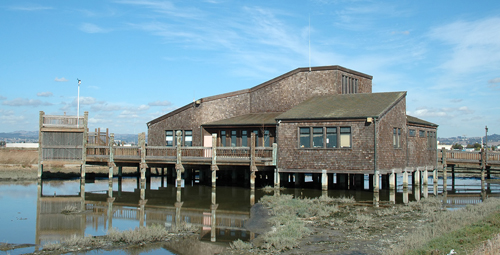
344,106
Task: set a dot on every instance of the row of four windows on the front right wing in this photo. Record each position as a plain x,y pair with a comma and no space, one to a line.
324,137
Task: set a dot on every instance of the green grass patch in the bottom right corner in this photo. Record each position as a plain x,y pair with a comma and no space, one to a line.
460,230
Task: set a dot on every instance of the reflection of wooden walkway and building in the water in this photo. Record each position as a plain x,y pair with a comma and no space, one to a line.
167,205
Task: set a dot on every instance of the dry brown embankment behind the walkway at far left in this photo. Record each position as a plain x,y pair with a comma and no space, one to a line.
22,164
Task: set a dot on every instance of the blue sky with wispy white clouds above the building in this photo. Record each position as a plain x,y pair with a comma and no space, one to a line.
139,59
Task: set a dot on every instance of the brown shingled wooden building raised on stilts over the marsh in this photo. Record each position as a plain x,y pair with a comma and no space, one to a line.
324,120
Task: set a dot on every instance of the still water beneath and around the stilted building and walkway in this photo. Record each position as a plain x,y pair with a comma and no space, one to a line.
31,211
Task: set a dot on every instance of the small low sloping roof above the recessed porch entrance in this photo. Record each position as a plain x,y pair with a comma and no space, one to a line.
266,118
